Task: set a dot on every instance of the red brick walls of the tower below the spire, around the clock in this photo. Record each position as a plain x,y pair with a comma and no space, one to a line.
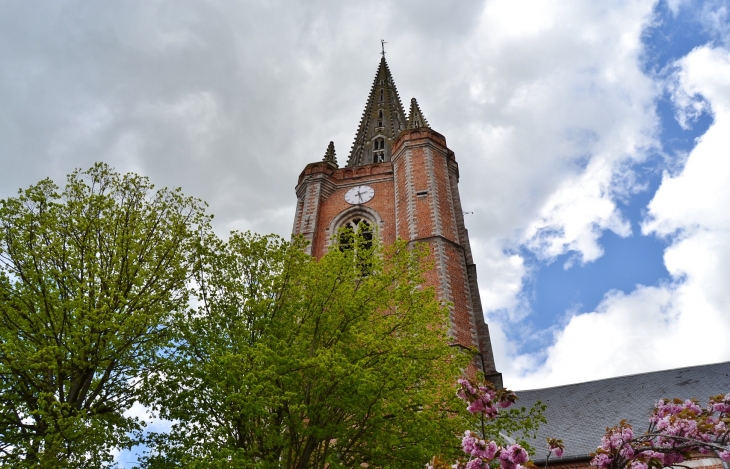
416,199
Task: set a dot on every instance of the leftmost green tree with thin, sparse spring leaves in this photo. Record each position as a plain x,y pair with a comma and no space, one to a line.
89,277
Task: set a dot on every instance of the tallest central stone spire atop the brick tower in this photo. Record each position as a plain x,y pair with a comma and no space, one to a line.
382,120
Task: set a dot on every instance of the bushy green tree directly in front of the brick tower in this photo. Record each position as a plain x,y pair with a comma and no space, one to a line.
294,362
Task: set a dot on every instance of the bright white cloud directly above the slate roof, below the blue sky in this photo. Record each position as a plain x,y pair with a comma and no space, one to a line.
687,321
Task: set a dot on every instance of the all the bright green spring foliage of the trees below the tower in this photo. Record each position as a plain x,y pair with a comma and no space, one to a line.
282,361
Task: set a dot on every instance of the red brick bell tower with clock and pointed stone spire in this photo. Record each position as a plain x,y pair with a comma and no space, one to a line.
401,177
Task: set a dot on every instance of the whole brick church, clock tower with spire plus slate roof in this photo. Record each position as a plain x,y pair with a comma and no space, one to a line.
401,181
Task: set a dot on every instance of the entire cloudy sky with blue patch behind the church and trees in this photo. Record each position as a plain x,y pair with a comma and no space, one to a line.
593,140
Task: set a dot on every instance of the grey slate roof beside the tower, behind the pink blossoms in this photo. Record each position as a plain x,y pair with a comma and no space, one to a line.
579,413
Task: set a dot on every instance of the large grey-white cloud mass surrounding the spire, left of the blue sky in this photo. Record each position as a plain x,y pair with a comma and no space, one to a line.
543,101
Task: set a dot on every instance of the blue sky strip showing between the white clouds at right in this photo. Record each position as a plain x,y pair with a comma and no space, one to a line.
555,292
